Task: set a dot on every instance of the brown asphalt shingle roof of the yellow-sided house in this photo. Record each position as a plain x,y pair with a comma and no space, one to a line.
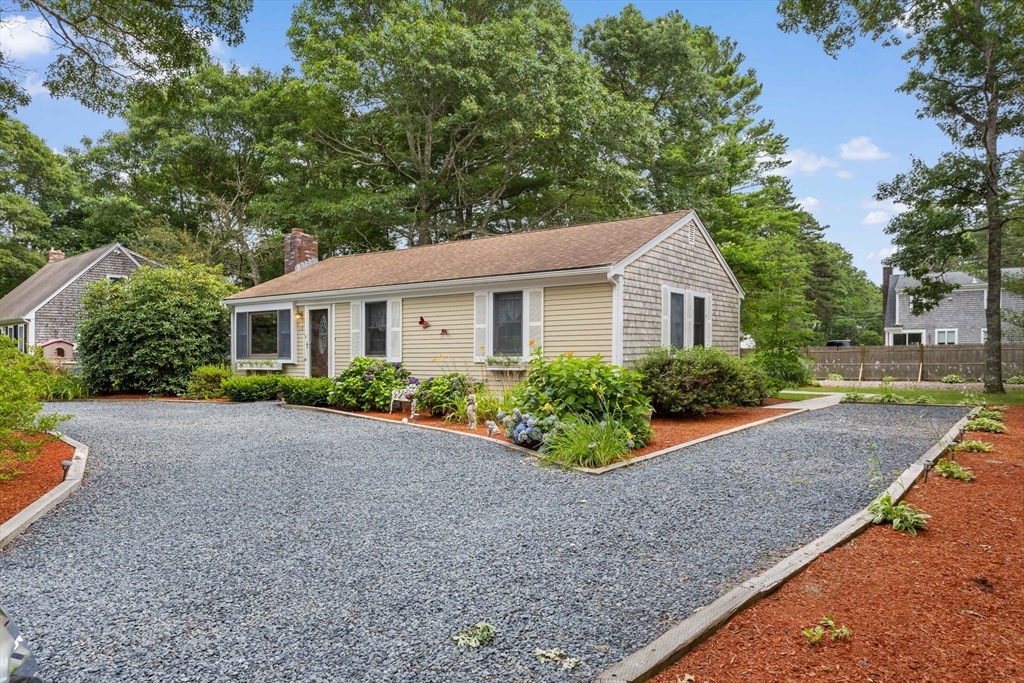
540,251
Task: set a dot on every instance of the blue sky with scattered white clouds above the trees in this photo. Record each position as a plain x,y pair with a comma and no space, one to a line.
848,127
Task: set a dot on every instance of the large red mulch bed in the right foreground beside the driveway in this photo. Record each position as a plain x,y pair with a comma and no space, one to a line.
948,606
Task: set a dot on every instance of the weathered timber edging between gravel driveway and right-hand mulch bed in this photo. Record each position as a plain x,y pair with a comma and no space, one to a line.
680,639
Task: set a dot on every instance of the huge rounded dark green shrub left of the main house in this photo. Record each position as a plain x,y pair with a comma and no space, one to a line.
150,332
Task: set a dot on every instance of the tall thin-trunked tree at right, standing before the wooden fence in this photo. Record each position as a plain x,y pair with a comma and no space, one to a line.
967,68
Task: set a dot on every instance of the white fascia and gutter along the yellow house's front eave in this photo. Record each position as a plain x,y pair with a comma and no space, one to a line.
466,286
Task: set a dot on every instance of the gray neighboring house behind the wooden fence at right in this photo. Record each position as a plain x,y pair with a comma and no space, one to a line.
960,319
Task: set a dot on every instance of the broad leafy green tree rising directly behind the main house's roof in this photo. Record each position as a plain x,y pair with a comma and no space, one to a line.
464,118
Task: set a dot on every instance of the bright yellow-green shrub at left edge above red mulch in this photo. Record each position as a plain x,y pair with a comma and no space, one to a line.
21,388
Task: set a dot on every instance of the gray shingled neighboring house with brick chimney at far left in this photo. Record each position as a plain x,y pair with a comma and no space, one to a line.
46,309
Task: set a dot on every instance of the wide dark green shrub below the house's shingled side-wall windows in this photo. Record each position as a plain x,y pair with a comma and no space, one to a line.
697,380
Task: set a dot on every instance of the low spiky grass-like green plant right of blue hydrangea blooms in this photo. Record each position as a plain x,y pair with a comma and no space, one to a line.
585,442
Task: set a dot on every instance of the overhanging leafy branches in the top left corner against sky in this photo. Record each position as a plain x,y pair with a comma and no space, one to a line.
108,48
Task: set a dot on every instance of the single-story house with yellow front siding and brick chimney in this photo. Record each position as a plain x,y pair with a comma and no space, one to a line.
615,289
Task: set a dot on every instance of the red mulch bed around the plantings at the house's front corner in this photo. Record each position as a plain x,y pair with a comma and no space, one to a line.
668,432
